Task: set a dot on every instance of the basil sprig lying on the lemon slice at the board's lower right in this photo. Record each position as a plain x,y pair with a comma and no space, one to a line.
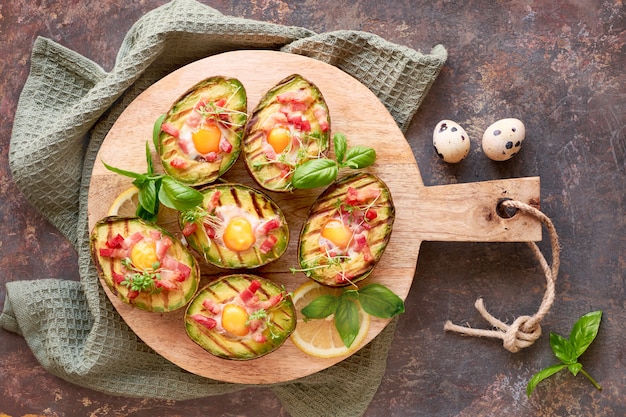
375,299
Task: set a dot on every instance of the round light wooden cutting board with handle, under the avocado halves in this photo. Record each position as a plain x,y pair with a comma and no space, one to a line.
460,212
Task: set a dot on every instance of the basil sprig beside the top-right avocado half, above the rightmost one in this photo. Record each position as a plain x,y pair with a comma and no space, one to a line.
321,172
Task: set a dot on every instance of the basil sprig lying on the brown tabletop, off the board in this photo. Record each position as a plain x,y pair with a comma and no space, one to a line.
569,350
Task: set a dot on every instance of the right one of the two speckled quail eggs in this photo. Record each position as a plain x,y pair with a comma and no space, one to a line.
503,139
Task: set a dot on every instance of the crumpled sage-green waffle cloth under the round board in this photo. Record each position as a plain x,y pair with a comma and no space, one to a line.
67,106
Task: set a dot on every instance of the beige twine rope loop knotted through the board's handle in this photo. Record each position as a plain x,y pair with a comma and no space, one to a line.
525,329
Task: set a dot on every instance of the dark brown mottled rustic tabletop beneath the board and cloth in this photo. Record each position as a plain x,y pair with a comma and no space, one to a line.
557,66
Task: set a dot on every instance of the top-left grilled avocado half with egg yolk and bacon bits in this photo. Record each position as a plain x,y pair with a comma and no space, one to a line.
200,137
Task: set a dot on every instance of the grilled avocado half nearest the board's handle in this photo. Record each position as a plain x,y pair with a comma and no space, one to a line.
347,230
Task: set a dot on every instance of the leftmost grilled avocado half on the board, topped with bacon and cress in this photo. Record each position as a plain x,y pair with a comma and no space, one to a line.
143,264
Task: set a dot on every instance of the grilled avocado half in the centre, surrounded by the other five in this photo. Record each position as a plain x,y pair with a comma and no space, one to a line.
235,226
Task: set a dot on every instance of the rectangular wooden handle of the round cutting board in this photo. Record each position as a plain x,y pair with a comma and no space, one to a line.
468,212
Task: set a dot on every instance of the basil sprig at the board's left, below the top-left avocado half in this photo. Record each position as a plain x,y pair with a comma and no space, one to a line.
157,189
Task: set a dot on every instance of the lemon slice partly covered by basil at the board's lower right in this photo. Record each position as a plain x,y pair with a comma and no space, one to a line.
319,337
